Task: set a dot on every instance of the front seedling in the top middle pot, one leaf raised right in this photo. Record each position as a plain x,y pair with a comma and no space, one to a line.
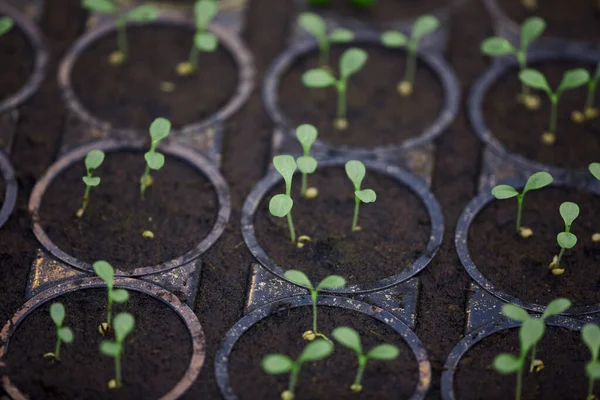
351,61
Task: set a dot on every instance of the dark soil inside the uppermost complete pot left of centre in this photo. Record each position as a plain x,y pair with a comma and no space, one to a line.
130,95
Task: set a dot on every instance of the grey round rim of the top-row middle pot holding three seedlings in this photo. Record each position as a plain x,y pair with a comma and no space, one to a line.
435,62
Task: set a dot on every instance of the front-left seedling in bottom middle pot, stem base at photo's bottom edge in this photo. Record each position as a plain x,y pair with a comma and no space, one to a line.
275,364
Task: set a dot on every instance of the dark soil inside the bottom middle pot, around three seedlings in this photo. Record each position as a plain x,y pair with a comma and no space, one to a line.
330,378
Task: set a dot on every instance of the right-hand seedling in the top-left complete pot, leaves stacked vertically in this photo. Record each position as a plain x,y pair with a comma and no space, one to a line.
204,12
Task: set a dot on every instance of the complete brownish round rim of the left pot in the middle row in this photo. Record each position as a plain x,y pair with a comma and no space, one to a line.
193,159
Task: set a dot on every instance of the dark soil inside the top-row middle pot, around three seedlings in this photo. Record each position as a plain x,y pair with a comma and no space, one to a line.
377,114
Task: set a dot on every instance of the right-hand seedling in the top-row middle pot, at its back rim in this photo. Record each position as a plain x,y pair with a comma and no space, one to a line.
422,27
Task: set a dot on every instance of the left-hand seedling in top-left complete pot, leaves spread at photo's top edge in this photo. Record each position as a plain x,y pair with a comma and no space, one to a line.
143,13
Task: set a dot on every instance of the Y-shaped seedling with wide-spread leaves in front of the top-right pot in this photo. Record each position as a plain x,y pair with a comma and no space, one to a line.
571,80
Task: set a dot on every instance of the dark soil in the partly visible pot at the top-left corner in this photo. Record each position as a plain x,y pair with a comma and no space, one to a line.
17,62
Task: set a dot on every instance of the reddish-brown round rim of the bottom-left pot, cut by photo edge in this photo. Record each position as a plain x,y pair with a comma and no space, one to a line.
183,311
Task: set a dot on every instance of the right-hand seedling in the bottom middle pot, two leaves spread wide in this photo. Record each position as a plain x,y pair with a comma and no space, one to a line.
349,338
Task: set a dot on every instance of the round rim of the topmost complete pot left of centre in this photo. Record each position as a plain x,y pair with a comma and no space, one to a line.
234,46
